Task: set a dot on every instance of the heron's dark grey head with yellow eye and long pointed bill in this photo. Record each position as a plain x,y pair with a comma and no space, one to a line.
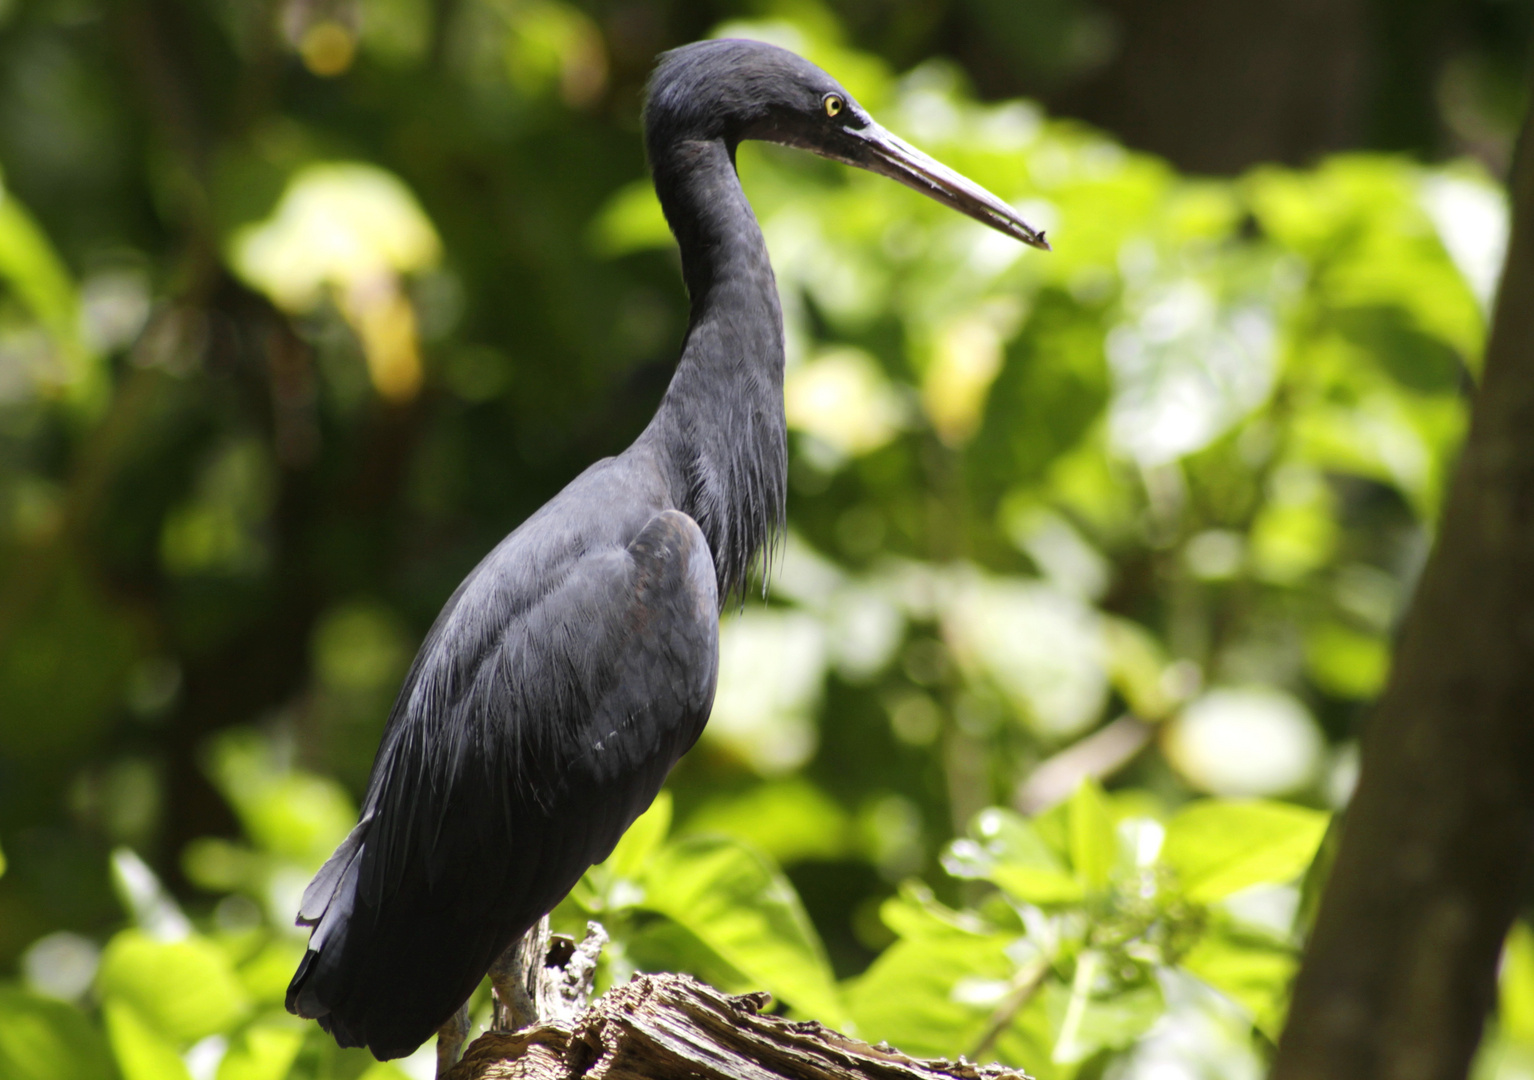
734,90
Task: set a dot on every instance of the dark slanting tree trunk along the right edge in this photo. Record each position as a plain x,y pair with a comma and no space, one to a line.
1437,849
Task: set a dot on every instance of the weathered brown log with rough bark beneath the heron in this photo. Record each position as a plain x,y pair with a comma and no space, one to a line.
674,1027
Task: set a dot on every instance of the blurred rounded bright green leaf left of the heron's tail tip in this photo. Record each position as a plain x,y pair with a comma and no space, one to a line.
183,990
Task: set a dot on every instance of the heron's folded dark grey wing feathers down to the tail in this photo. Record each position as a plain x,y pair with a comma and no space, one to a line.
501,780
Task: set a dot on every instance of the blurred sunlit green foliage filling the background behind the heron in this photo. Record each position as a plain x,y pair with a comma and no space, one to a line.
295,326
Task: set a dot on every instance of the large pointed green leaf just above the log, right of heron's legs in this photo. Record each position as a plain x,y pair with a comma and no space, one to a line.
742,907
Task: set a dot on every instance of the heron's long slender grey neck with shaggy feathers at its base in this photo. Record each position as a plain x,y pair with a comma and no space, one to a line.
722,424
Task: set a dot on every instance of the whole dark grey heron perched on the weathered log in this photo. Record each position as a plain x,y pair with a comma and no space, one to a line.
578,662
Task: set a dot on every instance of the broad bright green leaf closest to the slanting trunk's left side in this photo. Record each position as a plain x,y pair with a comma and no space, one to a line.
1220,848
